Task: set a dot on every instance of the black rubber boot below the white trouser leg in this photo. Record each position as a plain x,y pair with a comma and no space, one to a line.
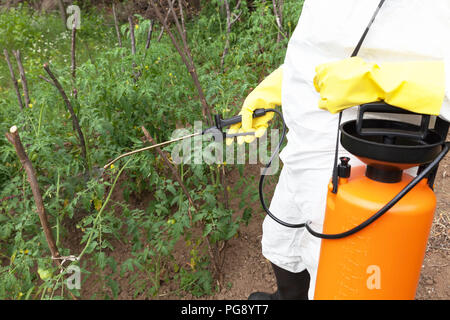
291,286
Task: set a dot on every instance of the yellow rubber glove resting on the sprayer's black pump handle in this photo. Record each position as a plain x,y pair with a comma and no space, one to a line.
415,86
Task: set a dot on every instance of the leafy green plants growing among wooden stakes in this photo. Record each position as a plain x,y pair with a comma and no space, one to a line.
145,210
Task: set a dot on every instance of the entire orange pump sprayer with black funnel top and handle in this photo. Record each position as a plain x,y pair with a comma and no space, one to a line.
391,211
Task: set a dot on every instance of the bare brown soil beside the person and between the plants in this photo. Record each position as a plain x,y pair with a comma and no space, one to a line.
246,270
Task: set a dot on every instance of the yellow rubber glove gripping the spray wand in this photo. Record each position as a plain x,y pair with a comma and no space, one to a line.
266,95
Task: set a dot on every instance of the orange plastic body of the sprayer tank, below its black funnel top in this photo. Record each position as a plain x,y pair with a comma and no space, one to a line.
382,261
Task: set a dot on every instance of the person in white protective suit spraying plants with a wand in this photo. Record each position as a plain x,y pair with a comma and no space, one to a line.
328,30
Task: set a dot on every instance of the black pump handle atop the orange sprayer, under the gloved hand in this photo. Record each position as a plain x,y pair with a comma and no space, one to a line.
382,107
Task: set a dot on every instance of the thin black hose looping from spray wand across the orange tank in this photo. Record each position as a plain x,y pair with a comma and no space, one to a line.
364,224
